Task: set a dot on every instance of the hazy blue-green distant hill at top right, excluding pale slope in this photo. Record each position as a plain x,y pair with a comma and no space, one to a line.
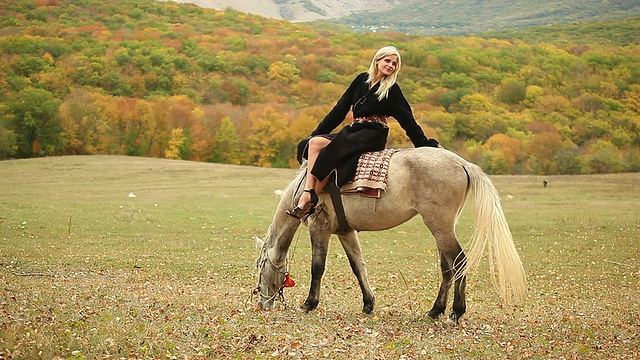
472,17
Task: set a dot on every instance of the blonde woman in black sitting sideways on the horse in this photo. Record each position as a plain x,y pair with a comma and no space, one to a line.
373,97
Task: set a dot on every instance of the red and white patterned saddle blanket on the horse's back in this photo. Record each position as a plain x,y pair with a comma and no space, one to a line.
371,174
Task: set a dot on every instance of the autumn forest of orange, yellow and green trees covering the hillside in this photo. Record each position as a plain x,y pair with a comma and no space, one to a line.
159,79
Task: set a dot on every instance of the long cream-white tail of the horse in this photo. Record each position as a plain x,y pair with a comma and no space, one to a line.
492,233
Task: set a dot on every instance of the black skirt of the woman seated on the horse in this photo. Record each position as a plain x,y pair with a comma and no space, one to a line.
344,150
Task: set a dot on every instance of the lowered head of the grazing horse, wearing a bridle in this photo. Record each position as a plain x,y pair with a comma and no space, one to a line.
271,277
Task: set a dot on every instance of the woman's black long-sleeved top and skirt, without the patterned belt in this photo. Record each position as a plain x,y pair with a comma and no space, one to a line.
344,150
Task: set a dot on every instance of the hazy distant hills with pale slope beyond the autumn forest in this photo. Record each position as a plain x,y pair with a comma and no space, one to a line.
434,17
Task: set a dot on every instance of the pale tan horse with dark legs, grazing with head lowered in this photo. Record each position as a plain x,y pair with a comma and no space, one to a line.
432,182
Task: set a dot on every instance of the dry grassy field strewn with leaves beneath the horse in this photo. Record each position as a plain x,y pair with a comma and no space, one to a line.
89,271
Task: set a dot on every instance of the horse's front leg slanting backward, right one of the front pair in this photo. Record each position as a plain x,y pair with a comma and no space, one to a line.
351,246
